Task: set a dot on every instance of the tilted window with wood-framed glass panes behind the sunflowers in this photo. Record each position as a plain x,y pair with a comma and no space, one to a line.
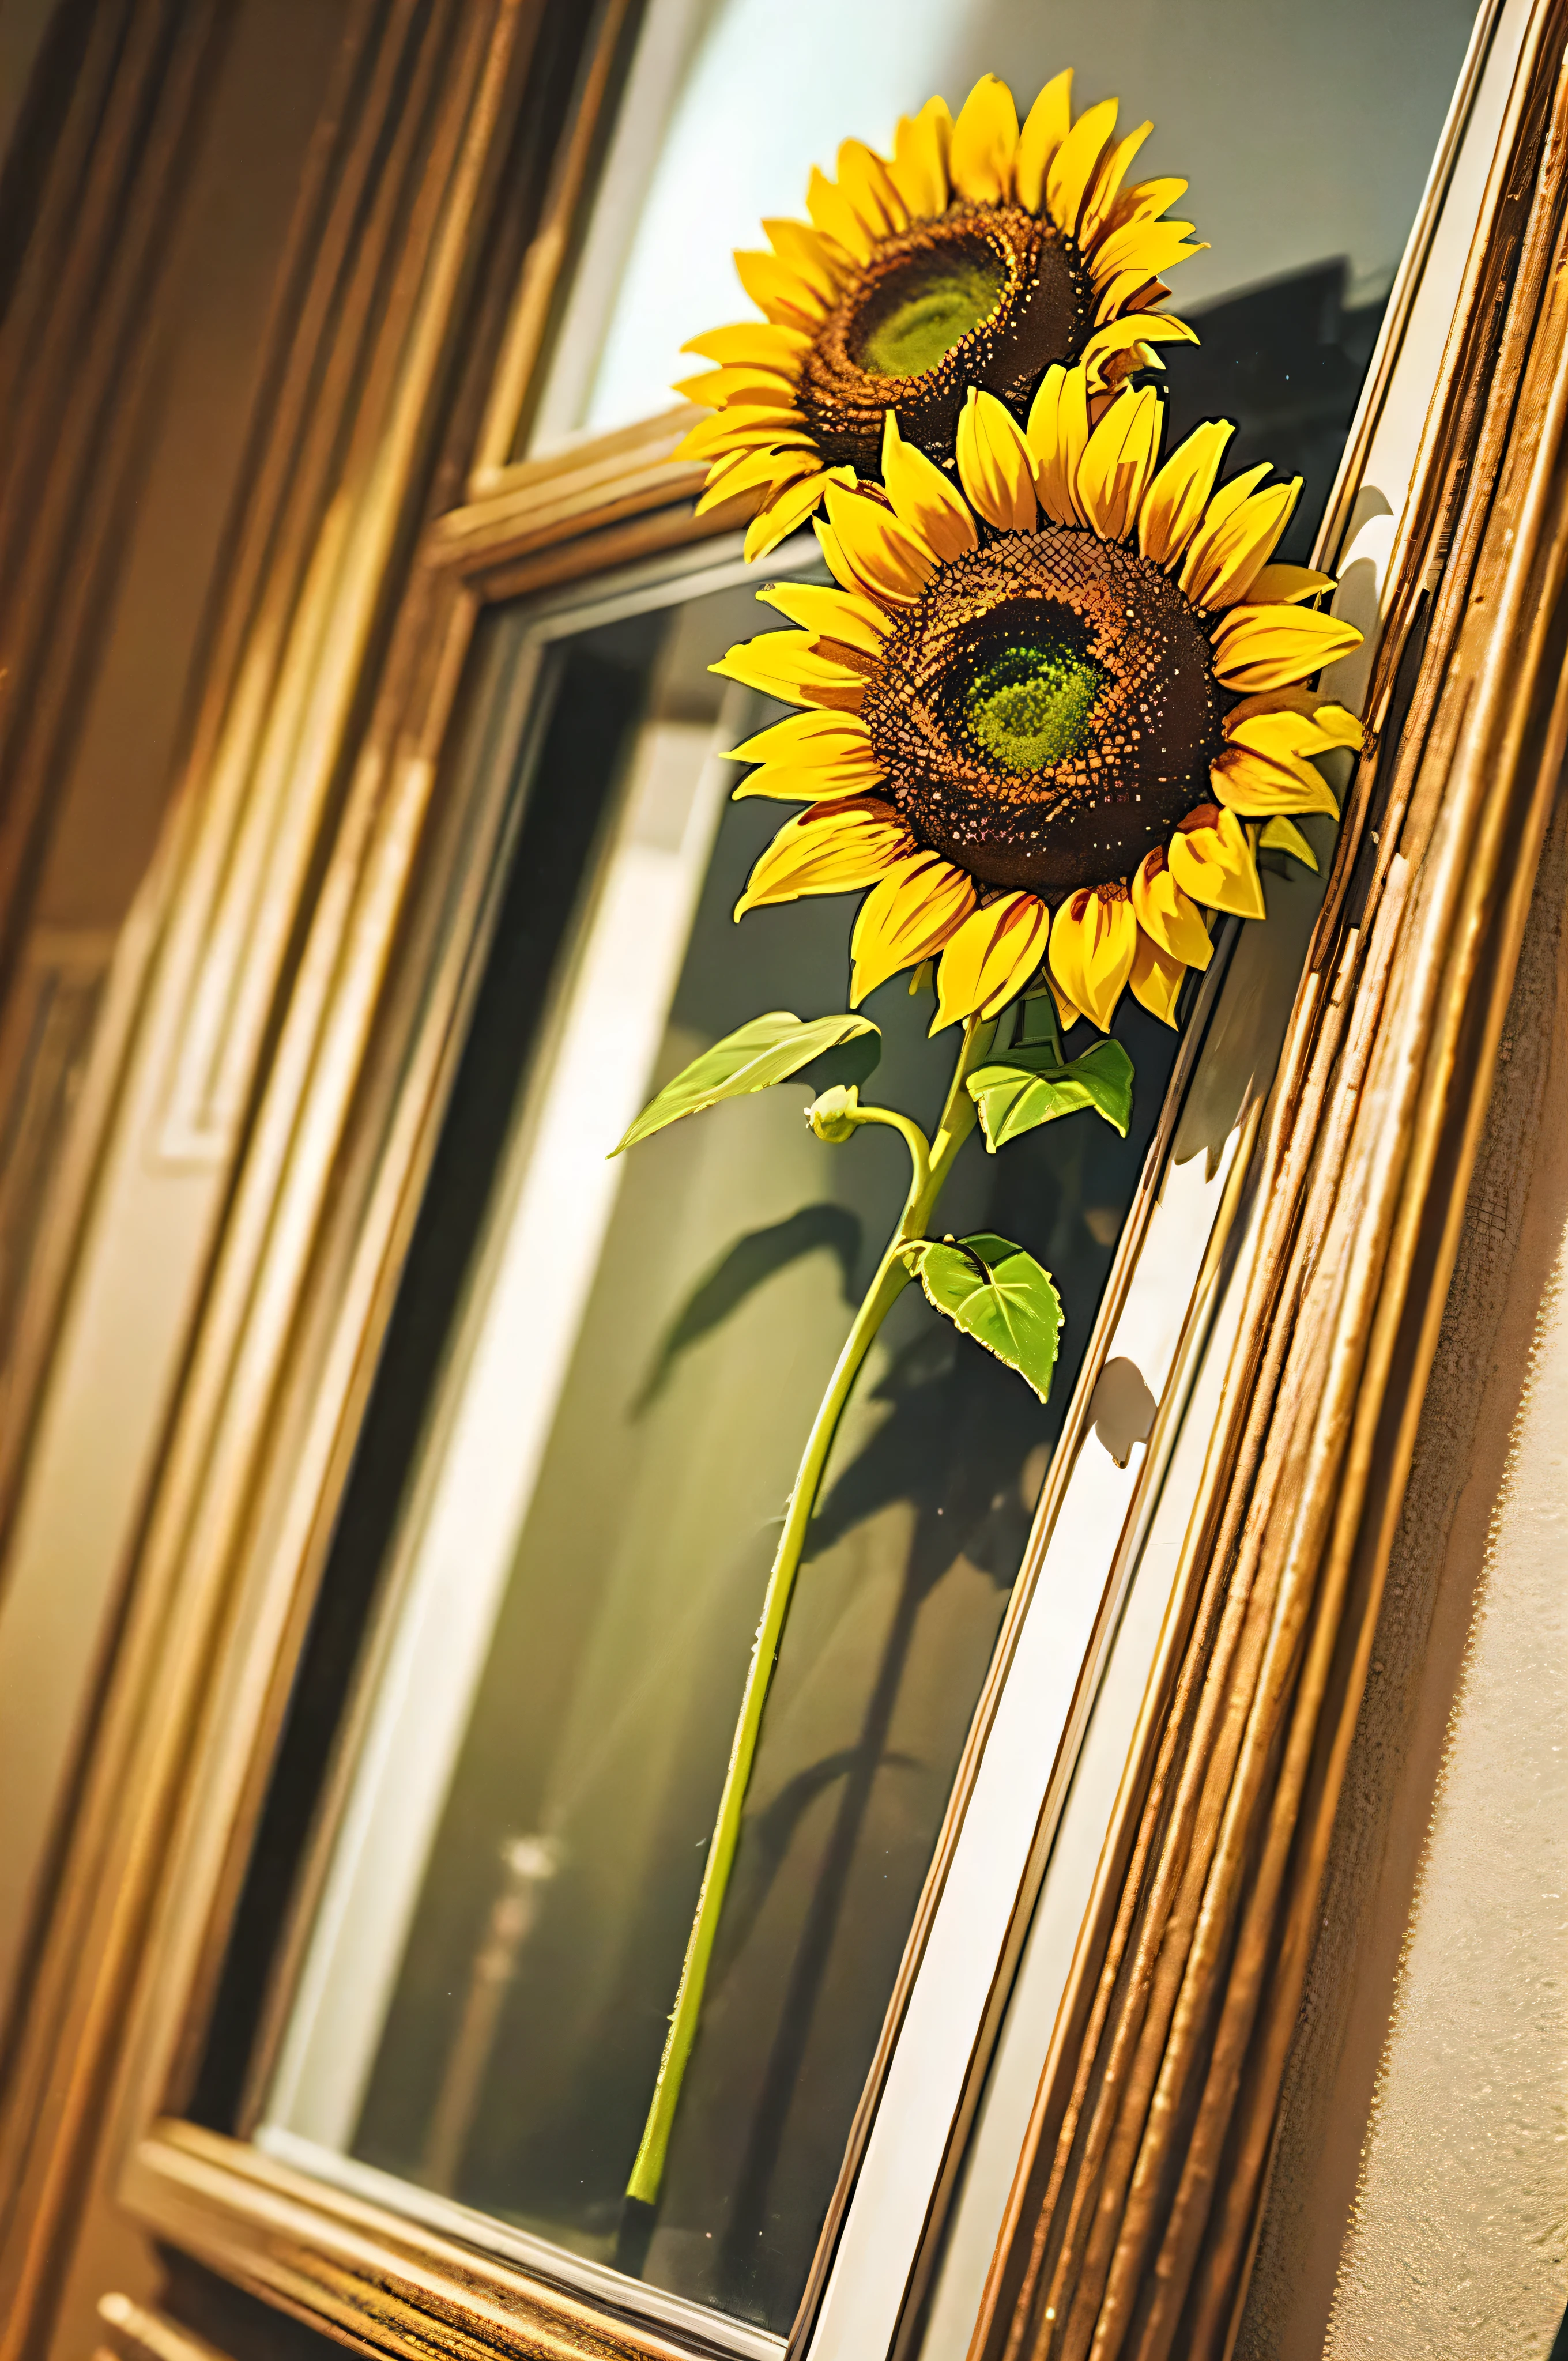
509,1602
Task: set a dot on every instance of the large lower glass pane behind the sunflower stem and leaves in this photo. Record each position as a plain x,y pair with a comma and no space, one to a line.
594,1507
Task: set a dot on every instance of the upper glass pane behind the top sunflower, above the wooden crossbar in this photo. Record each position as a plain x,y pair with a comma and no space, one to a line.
1305,136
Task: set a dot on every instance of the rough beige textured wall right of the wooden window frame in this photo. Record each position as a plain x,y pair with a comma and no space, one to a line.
1420,2199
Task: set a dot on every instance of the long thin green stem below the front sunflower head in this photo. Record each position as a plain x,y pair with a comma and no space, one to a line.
929,1172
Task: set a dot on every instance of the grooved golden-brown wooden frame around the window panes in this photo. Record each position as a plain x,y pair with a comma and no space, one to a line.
329,1111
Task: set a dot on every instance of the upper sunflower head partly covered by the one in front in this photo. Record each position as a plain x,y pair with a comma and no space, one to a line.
979,254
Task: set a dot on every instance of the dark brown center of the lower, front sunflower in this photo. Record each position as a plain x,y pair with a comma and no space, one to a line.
1047,714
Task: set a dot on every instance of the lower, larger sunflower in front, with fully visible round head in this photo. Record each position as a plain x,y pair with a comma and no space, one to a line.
1050,709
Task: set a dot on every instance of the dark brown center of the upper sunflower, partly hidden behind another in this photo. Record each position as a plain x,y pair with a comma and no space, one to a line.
984,296
